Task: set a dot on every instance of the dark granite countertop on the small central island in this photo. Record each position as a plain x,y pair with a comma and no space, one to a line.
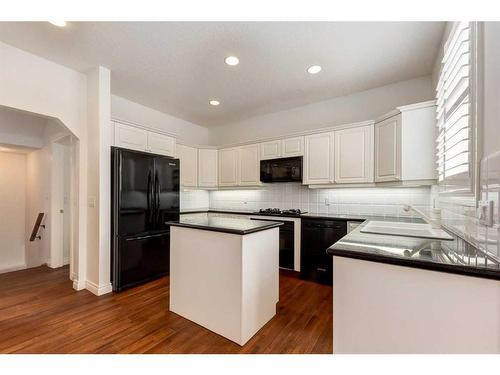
226,225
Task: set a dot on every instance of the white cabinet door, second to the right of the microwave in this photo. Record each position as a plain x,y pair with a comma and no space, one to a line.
354,155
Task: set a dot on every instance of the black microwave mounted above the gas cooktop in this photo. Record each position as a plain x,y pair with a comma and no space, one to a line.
281,170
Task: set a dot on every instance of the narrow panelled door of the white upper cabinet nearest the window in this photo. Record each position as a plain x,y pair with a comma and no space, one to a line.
388,149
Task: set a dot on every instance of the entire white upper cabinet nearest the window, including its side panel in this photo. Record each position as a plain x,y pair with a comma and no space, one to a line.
404,144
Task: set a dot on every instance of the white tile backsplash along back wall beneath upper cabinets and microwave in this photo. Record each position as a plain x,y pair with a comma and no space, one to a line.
359,201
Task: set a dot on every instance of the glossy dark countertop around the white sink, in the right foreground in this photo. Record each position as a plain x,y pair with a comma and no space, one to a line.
421,253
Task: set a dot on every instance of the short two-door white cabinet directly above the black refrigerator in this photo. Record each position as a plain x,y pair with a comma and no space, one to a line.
131,137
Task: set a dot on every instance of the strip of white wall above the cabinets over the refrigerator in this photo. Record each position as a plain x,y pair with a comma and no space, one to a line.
184,131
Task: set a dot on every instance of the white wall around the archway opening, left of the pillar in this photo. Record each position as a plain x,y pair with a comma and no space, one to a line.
31,83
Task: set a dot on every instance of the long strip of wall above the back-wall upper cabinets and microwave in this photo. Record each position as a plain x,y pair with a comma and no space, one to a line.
366,105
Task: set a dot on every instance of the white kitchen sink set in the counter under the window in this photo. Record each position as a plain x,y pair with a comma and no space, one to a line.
406,229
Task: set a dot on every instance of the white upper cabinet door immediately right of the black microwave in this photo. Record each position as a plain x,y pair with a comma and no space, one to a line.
318,165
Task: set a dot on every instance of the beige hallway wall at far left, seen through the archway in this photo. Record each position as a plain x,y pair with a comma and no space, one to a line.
12,209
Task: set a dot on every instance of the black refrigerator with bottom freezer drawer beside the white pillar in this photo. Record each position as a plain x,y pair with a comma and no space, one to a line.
145,195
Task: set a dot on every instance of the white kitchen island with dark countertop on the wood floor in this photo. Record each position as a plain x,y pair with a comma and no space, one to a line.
224,273
